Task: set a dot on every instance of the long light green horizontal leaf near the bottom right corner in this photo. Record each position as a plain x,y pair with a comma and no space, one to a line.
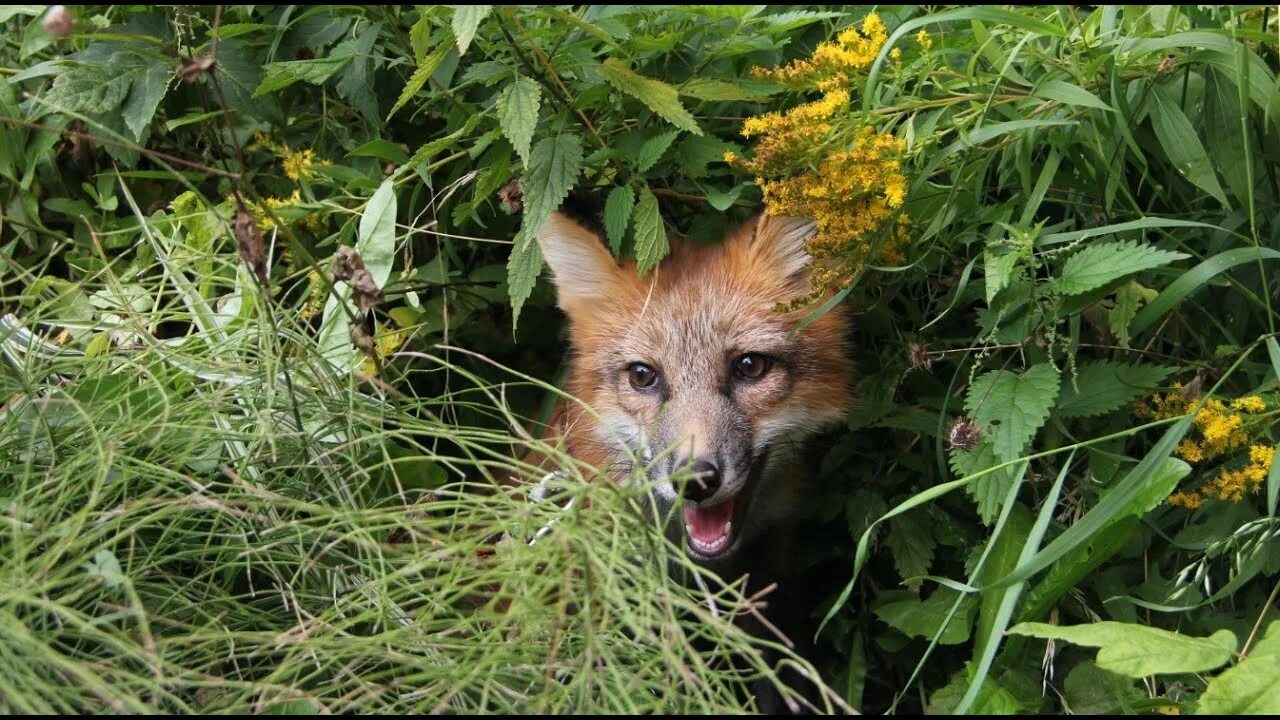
1137,651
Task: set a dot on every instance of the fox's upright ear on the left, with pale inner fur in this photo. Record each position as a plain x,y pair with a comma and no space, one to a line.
584,270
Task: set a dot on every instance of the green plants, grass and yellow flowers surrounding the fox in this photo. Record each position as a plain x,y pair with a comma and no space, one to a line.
244,470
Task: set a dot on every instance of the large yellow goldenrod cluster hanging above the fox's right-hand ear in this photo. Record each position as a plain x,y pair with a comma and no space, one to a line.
815,162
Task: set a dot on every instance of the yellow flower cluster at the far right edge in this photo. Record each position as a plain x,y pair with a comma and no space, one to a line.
1220,429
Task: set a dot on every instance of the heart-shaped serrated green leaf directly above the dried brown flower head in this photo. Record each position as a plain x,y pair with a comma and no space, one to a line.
1011,408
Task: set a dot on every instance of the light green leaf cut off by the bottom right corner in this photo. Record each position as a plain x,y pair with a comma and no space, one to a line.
1250,689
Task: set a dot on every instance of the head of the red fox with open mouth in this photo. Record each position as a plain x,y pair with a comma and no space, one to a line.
696,373
